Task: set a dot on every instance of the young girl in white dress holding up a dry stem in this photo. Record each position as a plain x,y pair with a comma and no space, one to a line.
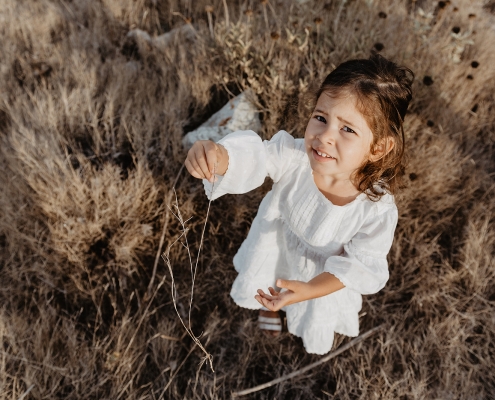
323,232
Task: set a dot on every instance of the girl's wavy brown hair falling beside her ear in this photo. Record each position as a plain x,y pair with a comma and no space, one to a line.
383,91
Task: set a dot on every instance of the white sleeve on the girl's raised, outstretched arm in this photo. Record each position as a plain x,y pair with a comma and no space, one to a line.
251,161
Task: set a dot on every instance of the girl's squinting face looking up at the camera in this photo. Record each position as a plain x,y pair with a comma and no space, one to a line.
337,138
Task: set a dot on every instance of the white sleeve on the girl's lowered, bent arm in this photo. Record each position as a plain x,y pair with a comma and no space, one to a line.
363,267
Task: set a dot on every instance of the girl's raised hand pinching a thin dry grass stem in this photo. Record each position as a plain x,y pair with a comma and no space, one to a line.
207,158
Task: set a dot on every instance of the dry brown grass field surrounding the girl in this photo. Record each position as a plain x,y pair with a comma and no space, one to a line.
90,127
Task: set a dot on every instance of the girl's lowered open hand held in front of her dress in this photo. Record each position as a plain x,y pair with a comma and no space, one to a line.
296,291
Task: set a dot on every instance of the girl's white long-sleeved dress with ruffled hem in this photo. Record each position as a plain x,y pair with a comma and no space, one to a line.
298,234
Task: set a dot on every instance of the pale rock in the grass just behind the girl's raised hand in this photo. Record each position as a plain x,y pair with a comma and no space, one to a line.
238,114
